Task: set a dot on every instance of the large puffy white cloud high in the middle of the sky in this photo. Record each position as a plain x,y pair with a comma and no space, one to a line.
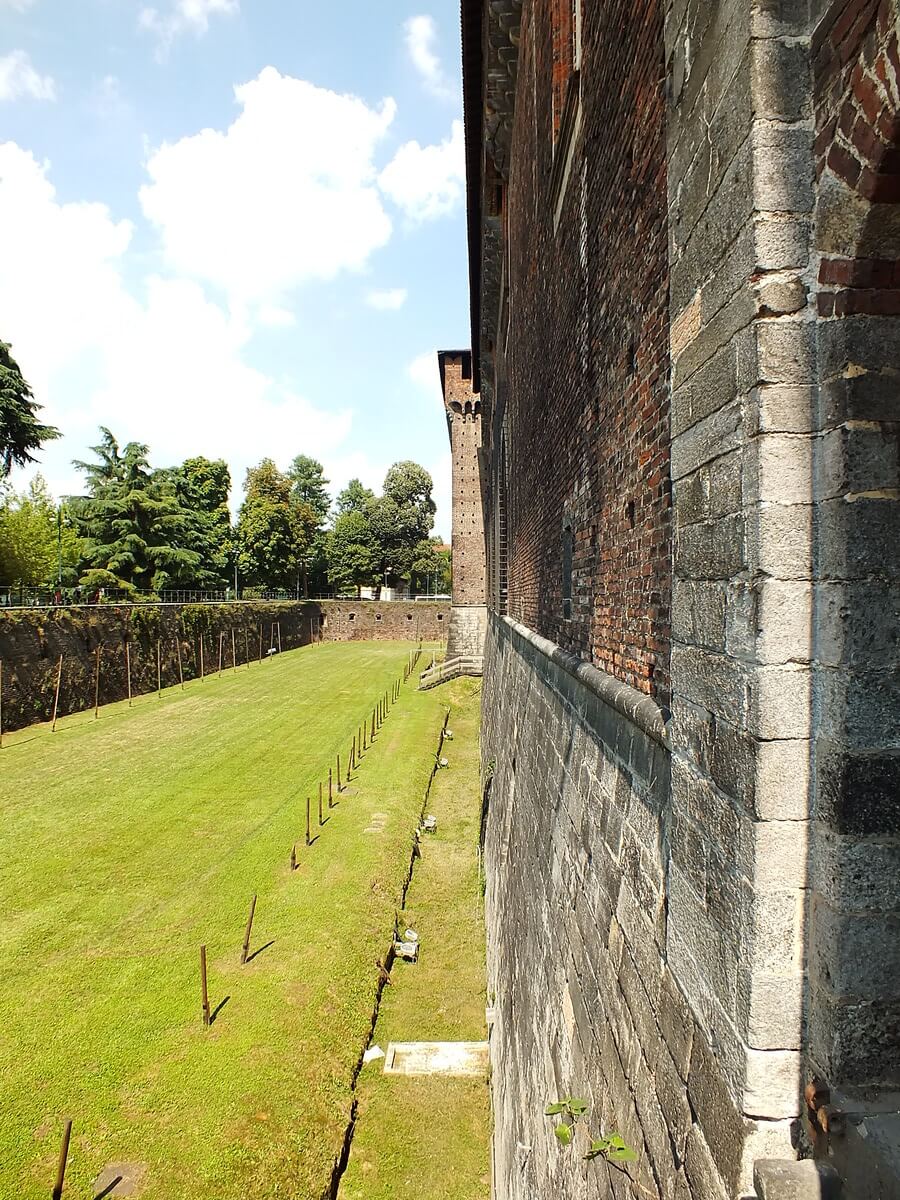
286,195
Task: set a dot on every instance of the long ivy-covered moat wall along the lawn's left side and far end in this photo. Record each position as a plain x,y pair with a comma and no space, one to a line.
32,643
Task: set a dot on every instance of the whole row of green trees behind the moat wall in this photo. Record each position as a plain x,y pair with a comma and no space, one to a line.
148,531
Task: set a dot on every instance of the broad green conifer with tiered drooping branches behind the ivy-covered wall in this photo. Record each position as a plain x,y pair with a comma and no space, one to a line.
134,526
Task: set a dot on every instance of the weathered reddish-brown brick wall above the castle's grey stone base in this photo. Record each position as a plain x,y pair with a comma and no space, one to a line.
587,417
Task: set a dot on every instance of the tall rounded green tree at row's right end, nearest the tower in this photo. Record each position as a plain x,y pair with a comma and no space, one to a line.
403,519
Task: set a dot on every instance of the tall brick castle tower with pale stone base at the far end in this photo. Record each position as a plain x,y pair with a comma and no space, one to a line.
469,617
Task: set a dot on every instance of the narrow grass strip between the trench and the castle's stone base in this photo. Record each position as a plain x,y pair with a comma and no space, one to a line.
429,1138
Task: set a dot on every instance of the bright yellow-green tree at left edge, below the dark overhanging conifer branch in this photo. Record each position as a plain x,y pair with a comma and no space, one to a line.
37,543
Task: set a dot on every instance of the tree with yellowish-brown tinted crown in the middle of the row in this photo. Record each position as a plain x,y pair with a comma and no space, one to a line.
274,530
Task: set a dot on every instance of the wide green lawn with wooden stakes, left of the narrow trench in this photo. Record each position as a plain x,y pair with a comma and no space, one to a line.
130,842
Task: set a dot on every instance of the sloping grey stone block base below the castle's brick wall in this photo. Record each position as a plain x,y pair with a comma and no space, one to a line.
585,1001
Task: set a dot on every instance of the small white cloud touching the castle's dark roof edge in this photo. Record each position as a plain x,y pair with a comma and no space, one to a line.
428,182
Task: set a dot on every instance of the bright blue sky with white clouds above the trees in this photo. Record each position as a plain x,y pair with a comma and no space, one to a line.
235,229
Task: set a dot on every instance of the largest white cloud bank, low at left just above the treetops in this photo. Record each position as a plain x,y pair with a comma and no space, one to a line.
160,364
